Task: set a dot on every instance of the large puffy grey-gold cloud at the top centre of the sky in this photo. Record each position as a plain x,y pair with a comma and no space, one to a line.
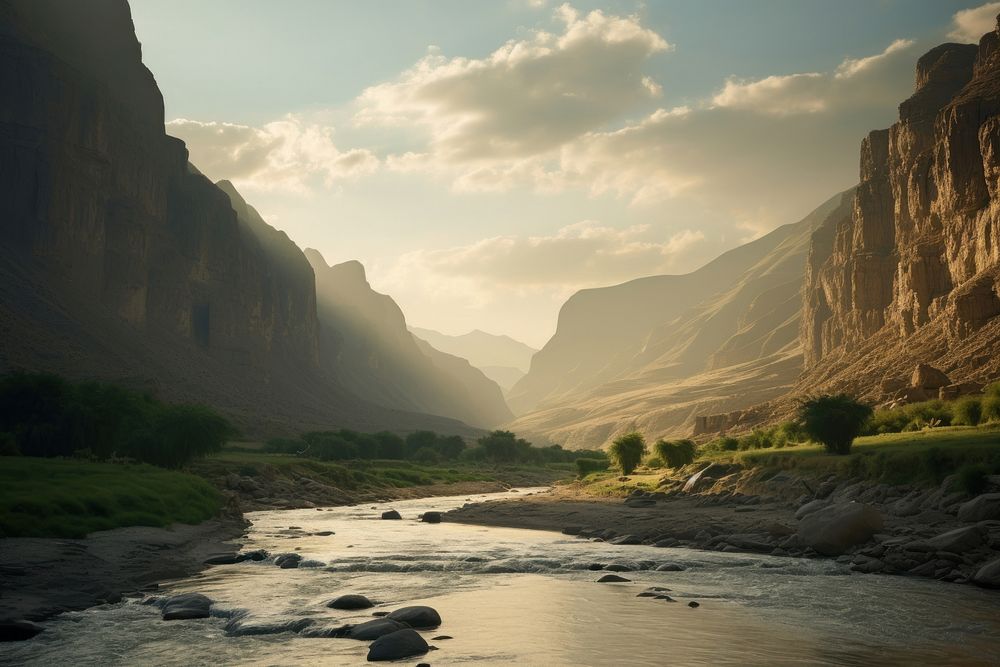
527,97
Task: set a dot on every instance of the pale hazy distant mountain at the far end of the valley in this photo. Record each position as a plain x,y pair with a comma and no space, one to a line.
501,358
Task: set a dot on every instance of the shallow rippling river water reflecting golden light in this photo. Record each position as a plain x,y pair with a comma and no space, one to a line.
525,597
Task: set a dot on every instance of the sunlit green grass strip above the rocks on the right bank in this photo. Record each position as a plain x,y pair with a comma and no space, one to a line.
917,457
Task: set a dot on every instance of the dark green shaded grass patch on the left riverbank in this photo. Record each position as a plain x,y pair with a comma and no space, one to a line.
66,498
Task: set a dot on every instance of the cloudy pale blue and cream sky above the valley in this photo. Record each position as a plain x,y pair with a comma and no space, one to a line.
486,159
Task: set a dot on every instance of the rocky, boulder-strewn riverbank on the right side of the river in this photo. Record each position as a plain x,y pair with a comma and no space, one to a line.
875,528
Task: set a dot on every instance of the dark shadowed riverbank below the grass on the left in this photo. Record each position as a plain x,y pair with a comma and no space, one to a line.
42,577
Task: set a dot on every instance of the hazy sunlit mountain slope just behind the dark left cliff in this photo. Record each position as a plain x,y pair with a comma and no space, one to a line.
368,347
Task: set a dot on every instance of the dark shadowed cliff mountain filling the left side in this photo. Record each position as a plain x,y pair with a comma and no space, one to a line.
120,262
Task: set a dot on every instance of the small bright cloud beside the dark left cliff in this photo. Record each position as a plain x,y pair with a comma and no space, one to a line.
285,154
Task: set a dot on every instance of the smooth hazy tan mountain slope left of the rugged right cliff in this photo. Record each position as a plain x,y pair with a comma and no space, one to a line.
658,352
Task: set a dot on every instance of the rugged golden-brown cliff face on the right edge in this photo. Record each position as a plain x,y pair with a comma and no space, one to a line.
913,273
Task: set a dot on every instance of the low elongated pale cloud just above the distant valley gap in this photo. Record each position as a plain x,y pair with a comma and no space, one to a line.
583,254
